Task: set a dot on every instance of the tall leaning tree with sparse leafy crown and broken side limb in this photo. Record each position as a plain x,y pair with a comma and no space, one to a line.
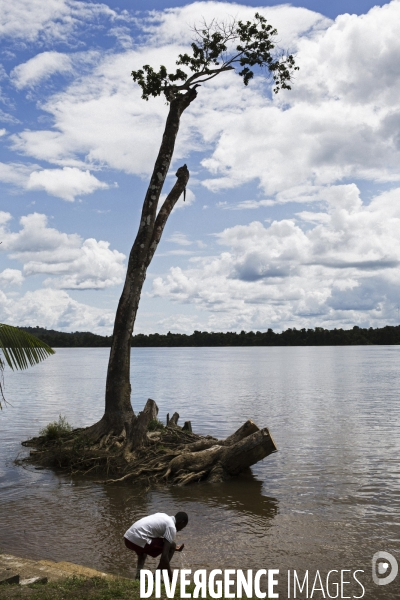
217,48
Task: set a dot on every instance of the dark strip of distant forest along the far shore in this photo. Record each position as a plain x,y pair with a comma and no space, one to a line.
291,337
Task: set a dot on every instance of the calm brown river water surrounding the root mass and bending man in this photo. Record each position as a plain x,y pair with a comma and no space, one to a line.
328,500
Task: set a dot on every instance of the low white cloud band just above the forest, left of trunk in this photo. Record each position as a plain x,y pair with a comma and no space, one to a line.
54,309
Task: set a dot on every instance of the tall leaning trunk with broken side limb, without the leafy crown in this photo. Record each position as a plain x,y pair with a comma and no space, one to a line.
118,408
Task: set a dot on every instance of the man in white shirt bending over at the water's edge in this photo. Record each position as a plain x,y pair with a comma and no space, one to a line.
155,535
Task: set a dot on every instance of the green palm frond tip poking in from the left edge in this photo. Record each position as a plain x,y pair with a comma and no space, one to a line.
21,349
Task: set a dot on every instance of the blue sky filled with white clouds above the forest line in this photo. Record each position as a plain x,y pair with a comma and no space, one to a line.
292,215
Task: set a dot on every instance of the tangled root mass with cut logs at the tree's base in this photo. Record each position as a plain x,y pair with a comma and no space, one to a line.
169,455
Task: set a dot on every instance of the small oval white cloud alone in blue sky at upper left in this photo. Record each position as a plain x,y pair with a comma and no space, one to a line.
40,67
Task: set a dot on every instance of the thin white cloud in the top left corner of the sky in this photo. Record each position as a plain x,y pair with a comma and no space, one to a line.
33,20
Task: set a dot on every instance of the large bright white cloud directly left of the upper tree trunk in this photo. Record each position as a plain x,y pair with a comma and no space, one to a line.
100,119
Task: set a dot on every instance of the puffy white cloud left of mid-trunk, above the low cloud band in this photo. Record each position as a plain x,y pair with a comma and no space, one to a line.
68,260
